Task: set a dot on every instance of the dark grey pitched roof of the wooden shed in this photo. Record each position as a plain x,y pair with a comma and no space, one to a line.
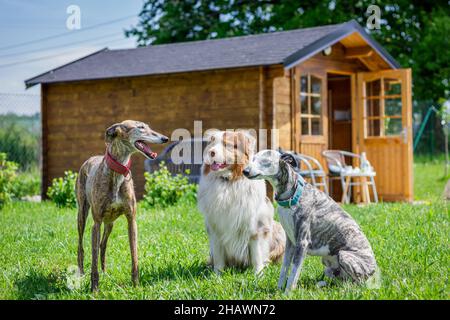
286,47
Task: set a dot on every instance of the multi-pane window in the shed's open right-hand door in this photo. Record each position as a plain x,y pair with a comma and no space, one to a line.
383,107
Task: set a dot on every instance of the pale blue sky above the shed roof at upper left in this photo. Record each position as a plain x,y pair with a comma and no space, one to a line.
25,52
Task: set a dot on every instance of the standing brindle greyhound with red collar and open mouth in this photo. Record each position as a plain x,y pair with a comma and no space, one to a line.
105,185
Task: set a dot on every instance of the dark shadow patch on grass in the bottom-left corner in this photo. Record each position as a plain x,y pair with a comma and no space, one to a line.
38,286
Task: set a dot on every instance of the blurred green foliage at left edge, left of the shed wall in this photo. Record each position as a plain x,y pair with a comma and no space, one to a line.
20,139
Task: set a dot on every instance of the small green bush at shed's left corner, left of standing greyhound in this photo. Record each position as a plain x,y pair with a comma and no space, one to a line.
62,190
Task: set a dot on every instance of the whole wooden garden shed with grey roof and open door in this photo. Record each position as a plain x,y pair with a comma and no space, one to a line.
328,87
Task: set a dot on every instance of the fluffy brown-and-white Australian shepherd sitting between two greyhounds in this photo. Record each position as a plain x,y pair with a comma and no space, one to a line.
238,214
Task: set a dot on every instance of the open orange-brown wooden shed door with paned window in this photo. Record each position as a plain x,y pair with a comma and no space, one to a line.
385,112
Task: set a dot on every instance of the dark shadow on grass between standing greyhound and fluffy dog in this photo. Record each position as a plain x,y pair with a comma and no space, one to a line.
173,271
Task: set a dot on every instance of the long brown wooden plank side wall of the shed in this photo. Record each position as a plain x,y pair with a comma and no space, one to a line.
77,114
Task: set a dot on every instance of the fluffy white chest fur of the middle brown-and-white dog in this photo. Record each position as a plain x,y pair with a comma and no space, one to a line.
233,210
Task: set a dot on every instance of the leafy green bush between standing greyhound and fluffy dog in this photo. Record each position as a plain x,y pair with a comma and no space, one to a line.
162,189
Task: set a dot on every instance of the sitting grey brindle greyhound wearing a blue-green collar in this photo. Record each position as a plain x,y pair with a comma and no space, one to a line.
313,222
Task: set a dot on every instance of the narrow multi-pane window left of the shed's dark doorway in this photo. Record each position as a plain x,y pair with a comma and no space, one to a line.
311,105
